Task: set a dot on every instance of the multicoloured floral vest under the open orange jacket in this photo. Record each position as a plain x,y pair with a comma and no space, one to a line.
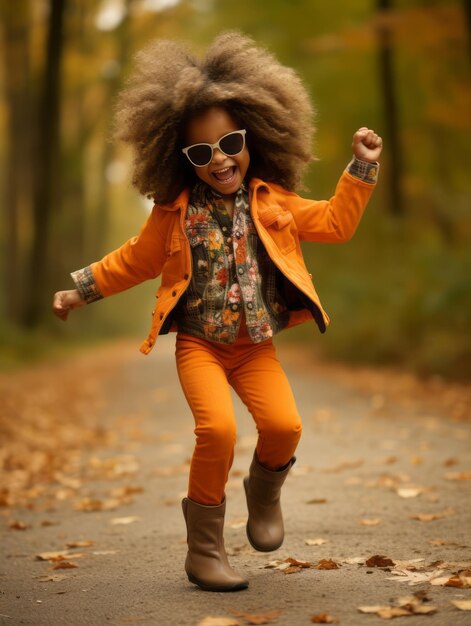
232,273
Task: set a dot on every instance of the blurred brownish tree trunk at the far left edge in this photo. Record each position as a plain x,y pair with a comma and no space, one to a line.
17,198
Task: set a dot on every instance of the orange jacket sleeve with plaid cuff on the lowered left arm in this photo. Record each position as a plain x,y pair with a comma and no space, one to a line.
139,259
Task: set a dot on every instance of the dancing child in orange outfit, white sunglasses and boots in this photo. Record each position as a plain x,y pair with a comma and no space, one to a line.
220,145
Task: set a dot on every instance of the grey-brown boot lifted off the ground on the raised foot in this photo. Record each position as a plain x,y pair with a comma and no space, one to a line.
265,529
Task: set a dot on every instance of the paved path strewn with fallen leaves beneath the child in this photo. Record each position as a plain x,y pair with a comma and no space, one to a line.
359,449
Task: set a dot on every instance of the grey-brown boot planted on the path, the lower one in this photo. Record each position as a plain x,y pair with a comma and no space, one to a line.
206,563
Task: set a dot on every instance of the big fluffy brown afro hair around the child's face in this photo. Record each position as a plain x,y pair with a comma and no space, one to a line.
170,85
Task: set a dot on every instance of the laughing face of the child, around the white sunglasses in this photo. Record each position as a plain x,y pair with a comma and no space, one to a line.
224,174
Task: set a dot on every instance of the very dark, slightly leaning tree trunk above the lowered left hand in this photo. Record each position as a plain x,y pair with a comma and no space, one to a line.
47,177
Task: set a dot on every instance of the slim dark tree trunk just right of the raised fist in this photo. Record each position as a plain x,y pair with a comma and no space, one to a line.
391,124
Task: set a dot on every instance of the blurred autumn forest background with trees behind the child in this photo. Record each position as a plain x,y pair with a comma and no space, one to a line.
398,293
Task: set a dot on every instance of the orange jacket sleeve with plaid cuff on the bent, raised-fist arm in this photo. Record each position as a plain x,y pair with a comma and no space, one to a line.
336,220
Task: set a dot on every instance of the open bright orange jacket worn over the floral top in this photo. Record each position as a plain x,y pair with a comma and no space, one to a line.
282,219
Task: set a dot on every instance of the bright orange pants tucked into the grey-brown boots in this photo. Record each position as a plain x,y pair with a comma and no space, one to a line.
206,371
